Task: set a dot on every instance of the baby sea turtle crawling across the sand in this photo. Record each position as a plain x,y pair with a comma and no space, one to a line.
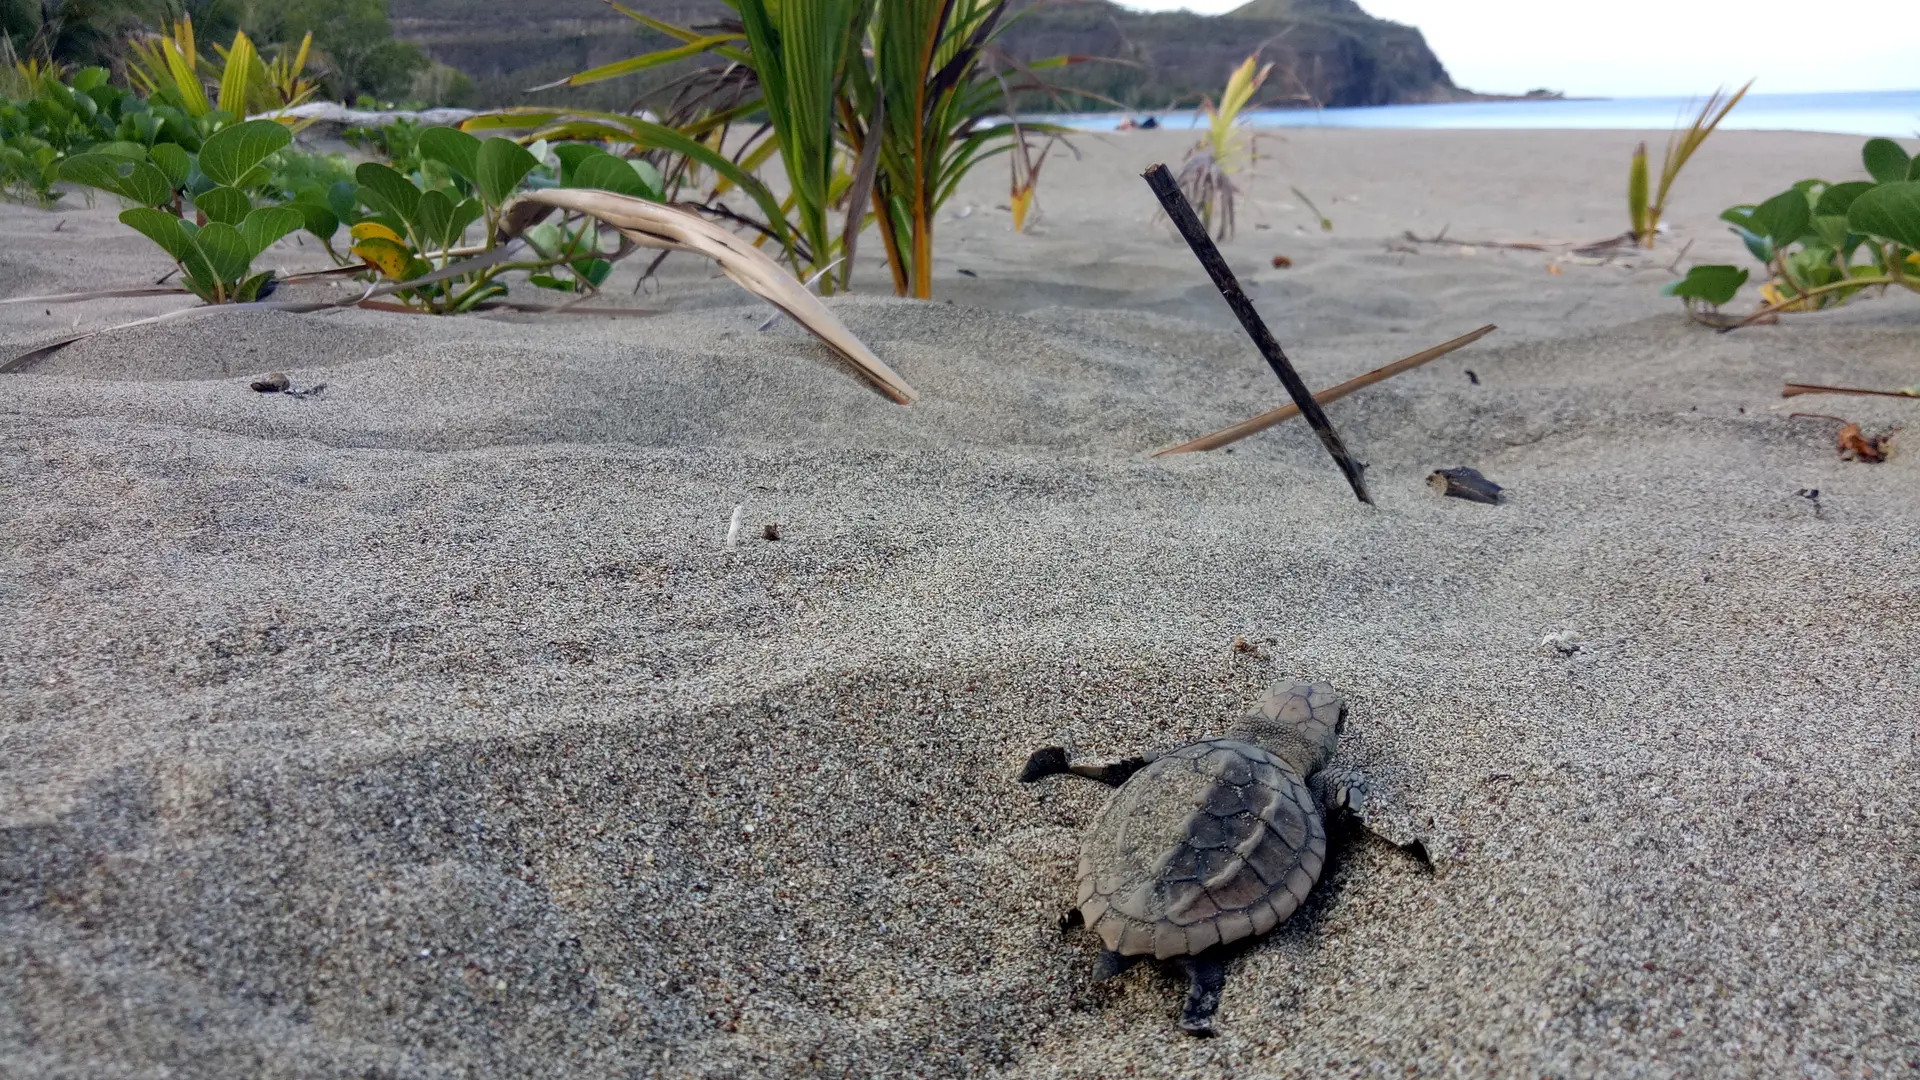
1207,845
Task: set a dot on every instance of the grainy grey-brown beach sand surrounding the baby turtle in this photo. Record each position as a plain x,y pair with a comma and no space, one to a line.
425,727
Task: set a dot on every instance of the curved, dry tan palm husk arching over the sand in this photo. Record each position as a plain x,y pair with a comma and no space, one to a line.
665,228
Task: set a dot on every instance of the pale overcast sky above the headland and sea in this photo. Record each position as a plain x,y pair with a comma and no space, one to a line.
1656,47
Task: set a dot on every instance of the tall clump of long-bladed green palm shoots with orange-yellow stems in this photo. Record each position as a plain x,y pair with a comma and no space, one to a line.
873,110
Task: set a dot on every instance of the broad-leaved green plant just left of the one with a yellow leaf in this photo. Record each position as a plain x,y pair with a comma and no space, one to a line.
218,239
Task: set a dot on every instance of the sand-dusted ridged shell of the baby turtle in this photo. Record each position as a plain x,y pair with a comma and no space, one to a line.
1212,843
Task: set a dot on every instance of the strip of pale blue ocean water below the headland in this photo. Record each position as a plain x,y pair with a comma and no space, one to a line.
1894,114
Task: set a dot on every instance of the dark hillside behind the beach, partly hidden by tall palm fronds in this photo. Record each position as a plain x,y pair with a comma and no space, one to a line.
1328,53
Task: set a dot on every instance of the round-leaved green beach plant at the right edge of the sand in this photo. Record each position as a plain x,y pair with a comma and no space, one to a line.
1813,237
